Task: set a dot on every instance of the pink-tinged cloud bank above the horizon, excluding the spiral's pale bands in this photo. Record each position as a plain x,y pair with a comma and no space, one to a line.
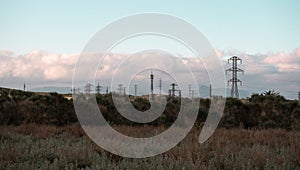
279,71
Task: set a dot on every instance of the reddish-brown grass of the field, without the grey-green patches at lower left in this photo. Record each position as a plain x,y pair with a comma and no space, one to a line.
226,149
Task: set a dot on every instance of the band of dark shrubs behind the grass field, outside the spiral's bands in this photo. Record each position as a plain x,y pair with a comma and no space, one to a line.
260,111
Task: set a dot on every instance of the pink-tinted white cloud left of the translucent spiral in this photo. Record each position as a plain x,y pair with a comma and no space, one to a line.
36,65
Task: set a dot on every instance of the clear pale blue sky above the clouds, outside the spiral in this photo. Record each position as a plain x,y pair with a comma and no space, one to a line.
64,27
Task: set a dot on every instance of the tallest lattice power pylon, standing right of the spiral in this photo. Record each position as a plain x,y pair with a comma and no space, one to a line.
234,80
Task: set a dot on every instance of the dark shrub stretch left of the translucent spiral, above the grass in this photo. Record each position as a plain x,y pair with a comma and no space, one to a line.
18,107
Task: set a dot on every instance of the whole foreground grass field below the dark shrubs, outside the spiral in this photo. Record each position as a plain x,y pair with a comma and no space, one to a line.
67,147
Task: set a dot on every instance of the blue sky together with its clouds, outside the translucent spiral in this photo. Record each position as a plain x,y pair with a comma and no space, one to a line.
52,33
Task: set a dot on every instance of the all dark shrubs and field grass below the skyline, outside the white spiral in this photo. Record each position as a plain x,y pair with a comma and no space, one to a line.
261,132
